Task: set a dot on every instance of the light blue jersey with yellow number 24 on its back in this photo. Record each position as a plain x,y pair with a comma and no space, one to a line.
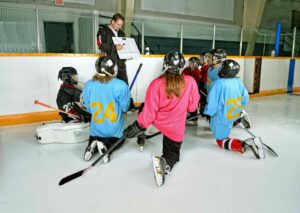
106,102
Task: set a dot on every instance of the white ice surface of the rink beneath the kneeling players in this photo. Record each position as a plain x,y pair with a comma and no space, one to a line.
207,178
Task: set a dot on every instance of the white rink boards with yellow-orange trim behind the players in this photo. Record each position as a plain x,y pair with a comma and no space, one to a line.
29,76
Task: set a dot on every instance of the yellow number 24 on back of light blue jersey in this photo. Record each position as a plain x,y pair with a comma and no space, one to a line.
109,112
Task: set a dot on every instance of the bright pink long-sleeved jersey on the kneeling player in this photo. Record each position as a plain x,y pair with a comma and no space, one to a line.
169,115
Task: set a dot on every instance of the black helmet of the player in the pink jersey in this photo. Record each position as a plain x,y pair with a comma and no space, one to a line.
173,62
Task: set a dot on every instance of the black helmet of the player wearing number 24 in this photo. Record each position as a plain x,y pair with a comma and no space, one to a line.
107,66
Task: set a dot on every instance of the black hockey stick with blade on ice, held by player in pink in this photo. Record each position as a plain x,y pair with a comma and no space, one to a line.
81,172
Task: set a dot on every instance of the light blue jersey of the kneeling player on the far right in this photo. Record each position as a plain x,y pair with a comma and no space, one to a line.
224,104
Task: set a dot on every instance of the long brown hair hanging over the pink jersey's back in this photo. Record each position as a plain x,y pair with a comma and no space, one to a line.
174,84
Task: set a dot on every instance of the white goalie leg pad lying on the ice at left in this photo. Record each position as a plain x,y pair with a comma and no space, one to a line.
63,133
